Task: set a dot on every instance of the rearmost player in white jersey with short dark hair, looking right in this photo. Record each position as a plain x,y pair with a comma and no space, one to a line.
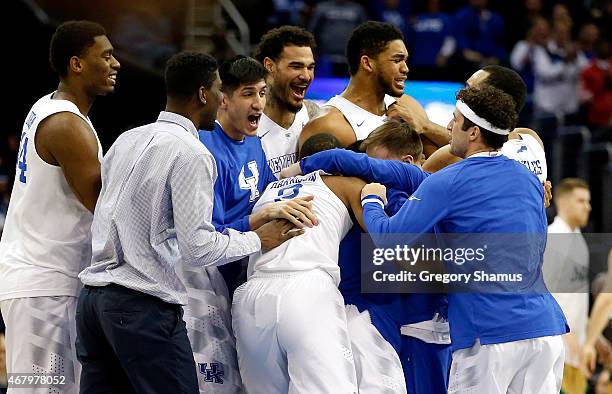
376,56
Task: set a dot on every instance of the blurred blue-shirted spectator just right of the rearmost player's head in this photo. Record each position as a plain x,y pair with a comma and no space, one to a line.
425,38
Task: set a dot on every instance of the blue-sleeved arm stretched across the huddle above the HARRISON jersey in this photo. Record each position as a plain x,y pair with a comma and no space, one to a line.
392,173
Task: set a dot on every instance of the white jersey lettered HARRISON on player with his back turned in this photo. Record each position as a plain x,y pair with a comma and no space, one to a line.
318,246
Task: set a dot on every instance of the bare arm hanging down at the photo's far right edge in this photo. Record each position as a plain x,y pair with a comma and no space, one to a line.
599,318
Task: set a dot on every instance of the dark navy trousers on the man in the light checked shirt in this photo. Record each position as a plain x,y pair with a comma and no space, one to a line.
131,342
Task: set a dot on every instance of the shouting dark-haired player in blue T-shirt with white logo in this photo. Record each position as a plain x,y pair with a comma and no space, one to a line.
242,174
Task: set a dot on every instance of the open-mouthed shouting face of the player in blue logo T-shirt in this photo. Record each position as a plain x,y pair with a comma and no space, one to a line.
242,110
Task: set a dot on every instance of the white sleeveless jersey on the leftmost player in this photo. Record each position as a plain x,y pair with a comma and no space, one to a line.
47,235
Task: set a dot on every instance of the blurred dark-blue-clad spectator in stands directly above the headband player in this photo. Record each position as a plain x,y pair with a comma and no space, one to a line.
479,33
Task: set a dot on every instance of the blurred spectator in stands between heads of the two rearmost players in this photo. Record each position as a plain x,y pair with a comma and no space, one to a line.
332,23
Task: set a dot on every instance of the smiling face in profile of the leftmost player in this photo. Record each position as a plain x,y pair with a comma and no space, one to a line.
99,67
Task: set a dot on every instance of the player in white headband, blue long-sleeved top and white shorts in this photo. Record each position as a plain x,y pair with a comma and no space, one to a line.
521,349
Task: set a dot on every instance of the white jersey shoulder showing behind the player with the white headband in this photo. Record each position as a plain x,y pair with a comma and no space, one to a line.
528,151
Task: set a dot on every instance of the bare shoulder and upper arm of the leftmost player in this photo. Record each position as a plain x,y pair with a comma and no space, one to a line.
66,140
